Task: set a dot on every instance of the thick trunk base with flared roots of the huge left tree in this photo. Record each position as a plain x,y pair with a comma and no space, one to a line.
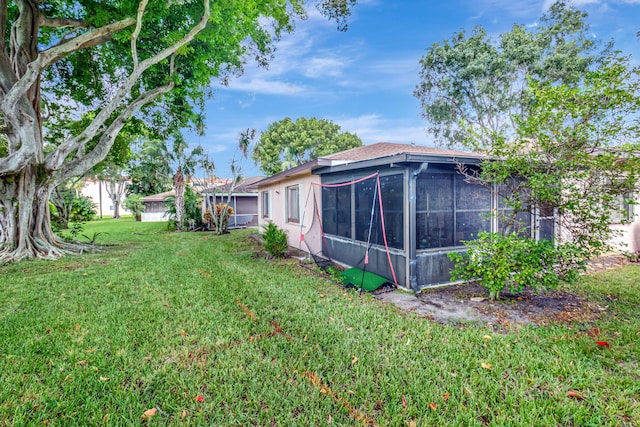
25,222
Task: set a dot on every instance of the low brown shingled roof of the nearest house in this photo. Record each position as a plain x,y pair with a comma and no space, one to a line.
378,150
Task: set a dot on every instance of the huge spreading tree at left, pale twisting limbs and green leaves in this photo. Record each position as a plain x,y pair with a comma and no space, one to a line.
119,60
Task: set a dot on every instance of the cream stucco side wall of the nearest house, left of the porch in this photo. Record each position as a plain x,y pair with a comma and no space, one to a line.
277,200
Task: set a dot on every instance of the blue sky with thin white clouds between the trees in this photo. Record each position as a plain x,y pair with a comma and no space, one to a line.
363,79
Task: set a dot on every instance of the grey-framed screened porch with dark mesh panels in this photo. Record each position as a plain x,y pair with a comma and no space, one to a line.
428,209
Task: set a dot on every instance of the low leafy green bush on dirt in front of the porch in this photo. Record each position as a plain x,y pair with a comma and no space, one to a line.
498,261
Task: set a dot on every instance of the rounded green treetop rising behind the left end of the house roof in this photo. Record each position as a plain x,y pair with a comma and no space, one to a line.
287,143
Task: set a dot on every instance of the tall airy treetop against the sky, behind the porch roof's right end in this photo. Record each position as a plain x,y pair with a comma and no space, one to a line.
472,86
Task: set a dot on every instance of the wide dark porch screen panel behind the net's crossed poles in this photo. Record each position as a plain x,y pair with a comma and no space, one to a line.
392,193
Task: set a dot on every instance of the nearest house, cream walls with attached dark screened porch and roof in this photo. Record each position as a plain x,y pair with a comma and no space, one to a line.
428,209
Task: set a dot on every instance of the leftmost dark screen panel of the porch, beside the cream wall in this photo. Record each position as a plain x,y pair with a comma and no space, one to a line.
336,210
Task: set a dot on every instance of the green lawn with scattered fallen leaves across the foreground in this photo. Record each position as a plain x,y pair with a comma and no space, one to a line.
160,318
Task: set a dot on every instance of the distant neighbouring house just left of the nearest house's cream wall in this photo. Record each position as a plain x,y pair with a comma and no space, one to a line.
243,200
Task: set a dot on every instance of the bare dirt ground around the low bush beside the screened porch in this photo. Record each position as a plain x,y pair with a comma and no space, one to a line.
469,303
